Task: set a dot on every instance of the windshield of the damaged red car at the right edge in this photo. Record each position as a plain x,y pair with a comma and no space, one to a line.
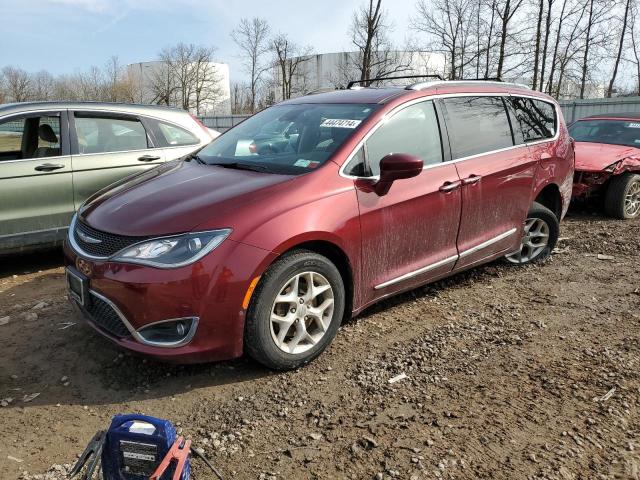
613,132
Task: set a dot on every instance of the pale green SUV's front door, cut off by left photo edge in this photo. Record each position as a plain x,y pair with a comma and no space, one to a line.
36,192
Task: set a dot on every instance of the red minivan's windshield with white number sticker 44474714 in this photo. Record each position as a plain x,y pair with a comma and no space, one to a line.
286,139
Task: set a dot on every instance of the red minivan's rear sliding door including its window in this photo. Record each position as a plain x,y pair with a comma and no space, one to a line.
497,176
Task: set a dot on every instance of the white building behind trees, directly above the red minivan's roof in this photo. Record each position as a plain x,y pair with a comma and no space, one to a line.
336,70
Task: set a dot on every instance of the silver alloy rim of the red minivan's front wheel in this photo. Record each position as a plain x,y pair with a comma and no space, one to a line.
302,312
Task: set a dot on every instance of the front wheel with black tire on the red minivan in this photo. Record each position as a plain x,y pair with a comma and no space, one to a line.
262,336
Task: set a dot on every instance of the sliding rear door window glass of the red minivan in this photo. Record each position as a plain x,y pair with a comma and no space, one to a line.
477,125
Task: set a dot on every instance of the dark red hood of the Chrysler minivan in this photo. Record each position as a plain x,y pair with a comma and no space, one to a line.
175,198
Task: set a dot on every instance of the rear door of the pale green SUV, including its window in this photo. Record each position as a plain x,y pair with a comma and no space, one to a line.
106,148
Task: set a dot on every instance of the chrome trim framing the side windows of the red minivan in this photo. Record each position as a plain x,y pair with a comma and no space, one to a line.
426,98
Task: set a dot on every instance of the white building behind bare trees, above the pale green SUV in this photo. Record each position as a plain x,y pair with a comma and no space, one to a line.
216,94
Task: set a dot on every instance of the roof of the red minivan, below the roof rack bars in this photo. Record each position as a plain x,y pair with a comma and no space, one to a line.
386,94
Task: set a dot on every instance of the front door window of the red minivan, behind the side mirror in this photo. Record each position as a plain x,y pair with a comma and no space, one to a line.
413,130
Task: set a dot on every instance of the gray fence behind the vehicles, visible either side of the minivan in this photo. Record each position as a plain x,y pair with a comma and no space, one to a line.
572,109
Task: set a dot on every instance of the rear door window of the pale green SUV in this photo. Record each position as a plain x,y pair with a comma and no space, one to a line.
102,135
